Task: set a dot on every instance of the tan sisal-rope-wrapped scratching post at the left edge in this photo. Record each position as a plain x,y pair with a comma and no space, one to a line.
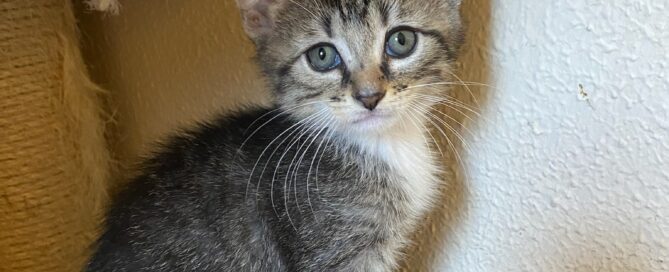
54,162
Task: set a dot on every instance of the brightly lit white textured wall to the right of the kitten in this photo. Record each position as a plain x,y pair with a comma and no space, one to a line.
558,183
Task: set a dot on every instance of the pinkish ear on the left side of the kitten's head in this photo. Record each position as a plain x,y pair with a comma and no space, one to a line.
259,16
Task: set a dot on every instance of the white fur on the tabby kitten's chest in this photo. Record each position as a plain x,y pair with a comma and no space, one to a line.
415,174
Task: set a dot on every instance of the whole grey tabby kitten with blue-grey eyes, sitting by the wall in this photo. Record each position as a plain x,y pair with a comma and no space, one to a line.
334,178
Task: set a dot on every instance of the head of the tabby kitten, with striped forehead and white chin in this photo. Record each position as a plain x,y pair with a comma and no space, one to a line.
363,66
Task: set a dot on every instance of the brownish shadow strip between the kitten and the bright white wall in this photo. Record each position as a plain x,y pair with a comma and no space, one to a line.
432,240
